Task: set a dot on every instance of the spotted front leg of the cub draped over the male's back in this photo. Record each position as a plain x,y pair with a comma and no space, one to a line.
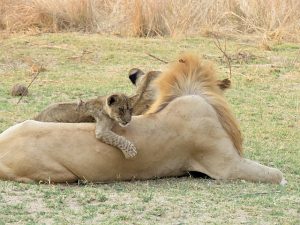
103,132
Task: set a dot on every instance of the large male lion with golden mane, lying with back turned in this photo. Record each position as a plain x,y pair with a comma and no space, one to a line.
188,128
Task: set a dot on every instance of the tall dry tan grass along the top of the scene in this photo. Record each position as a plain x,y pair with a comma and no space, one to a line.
268,19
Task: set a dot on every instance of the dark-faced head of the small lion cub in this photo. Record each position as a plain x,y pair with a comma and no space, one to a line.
119,108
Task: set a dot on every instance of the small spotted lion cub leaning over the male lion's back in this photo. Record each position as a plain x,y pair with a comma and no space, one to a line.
107,111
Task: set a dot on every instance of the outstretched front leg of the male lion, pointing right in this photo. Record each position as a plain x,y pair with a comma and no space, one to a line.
223,162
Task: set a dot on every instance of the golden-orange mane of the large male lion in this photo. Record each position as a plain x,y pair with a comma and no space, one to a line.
193,76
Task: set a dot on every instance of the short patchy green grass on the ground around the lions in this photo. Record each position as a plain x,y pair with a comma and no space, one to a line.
265,98
